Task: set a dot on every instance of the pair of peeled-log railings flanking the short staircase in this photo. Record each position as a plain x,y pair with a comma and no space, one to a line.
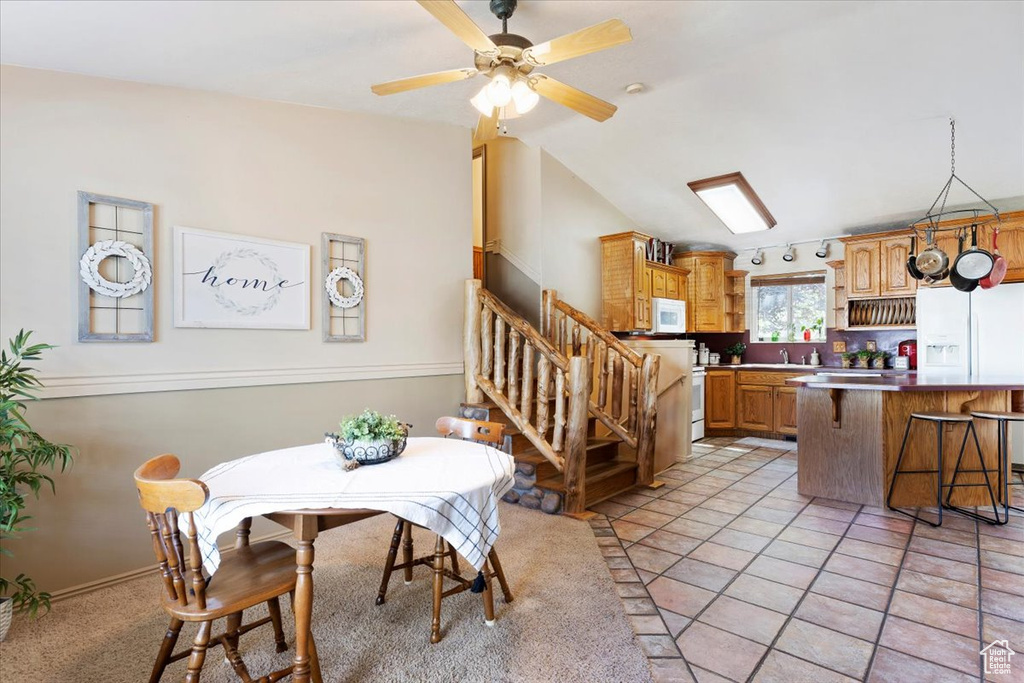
544,383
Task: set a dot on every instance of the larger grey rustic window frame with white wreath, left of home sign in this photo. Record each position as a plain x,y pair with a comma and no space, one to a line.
97,293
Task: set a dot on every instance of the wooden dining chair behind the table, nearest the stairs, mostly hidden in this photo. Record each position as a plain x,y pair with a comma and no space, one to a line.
492,434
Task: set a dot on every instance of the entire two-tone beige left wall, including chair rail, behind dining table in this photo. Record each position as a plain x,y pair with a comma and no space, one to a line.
236,165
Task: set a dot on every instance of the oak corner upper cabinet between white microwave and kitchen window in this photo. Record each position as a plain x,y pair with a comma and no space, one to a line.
706,291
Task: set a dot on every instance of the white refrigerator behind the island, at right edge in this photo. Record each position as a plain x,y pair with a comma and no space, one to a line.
977,333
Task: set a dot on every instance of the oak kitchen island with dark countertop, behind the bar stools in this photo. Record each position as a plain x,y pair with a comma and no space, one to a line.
851,430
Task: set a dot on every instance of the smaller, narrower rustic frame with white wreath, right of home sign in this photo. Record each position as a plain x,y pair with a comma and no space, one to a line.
337,270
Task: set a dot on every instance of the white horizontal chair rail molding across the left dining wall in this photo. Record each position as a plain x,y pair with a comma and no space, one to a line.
98,386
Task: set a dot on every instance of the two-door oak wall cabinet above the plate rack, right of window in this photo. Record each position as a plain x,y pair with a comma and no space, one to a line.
876,268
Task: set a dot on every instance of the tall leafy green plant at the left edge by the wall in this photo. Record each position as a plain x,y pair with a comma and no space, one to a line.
26,457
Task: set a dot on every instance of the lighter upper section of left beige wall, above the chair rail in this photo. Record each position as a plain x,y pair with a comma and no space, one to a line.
236,165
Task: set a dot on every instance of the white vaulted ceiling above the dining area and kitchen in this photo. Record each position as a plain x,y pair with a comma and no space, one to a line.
836,112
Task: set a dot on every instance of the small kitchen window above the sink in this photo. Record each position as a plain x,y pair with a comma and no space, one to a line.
789,308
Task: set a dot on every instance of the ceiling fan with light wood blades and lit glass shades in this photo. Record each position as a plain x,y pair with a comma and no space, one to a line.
509,61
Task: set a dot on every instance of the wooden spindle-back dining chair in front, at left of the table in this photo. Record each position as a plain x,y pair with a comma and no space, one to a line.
248,576
